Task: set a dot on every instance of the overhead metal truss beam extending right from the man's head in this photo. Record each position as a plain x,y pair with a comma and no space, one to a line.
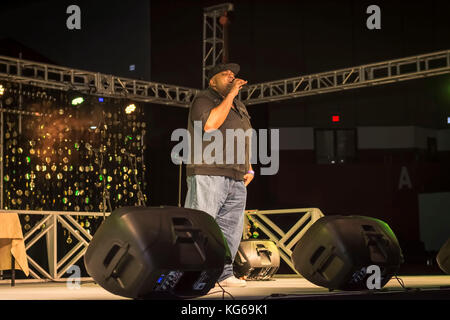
416,67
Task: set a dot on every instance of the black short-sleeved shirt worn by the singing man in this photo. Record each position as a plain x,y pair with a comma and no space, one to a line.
204,160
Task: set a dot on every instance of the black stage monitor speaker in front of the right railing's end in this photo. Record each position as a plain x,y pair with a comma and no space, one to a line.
336,251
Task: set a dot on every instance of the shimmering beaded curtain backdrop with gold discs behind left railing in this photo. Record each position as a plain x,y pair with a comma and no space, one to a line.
62,157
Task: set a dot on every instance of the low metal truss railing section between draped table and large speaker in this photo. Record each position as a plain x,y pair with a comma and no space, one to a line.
48,227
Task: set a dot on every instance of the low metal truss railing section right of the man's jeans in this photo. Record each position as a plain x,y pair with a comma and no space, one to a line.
285,241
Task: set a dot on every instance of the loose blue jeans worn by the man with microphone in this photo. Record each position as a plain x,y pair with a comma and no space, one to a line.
224,199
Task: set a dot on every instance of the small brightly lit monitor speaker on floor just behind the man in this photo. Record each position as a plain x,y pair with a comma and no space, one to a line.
256,259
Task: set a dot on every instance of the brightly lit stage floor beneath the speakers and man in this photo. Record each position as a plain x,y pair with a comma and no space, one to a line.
277,288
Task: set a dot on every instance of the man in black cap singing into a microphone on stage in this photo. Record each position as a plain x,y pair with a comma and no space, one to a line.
219,188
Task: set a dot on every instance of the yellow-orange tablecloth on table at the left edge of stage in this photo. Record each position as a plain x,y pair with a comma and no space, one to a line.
12,243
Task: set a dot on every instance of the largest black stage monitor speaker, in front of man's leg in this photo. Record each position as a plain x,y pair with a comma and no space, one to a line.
157,252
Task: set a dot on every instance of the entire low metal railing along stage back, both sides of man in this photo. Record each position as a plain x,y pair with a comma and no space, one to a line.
58,266
